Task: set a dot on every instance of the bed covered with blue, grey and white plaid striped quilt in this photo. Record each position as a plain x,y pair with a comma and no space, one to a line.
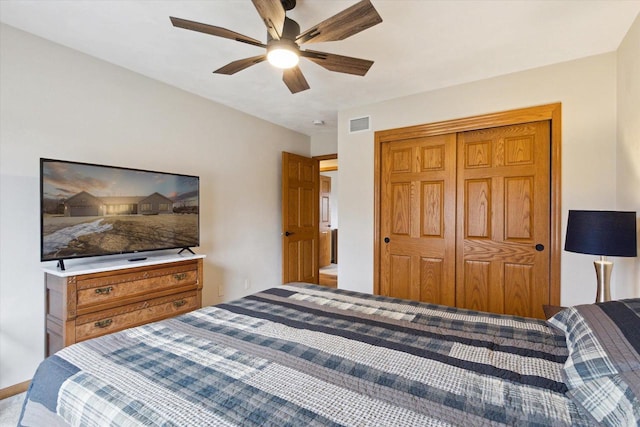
305,355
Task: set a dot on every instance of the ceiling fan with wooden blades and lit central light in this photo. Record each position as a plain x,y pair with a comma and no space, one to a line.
284,40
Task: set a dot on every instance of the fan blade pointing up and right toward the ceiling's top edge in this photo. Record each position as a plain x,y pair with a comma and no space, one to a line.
350,21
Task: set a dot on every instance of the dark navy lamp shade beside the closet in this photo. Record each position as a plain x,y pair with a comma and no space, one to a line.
608,233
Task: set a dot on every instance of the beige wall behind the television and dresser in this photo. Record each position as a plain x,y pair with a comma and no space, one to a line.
58,103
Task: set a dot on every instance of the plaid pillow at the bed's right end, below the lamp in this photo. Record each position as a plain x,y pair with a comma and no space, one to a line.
602,371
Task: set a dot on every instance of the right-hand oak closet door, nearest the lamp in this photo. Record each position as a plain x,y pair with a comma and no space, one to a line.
503,212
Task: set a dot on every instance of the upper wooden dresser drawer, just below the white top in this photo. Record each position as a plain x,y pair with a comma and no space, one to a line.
112,288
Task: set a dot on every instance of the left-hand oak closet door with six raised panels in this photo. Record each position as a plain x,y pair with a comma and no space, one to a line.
418,199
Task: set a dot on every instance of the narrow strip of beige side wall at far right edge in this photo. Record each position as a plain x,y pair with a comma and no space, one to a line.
628,149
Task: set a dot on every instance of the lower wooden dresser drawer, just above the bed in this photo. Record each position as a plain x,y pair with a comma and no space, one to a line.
107,321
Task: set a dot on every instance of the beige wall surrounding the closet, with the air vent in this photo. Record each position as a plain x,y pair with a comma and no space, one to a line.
587,90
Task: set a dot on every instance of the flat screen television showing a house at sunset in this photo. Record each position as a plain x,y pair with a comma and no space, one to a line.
89,210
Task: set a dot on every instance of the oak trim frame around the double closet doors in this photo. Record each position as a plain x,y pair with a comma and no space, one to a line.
551,112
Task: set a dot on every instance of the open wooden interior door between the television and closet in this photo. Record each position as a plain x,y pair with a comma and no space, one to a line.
300,209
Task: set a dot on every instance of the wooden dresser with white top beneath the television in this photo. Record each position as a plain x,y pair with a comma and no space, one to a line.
87,301
